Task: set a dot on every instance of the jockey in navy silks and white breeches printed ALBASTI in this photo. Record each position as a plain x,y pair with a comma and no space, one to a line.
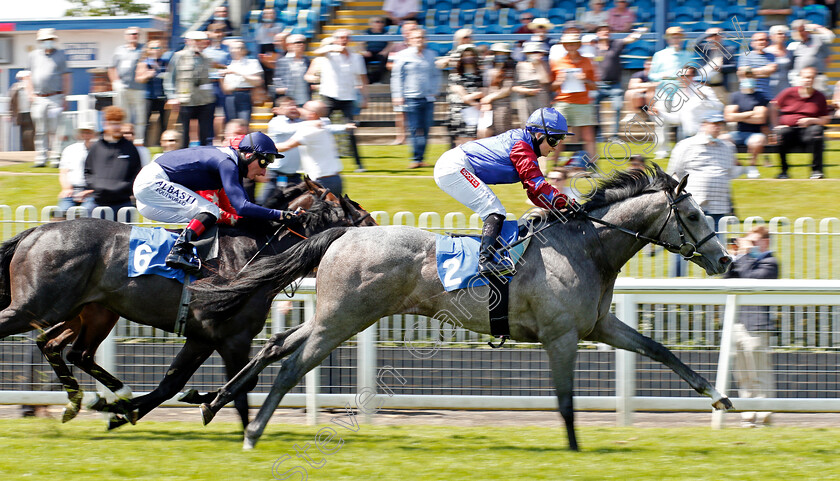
165,189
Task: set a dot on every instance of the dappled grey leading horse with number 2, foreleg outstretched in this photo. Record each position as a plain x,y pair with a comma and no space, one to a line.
561,293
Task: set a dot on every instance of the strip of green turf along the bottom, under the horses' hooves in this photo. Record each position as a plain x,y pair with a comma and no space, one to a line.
45,449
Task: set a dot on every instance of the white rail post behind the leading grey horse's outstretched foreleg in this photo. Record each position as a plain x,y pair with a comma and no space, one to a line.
625,363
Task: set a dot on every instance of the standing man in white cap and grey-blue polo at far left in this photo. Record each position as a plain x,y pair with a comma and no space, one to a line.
47,84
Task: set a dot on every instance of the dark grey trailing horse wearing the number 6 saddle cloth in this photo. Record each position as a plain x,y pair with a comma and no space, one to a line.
51,273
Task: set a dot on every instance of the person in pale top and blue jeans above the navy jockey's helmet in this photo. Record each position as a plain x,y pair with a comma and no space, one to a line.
240,79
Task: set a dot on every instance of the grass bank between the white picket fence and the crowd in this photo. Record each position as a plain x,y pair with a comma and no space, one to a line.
388,185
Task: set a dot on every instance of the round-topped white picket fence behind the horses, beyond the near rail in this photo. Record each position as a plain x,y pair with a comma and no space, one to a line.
807,248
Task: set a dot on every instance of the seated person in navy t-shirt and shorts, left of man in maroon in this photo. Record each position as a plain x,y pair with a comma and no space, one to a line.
749,108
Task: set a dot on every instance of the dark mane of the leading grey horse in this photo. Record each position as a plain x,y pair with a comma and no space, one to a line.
622,185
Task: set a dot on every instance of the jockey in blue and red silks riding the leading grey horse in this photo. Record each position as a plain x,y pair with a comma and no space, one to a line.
465,171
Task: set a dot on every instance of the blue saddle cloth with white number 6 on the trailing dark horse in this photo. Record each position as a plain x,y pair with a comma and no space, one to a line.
147,250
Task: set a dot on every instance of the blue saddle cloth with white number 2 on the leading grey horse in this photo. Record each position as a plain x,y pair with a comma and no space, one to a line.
457,257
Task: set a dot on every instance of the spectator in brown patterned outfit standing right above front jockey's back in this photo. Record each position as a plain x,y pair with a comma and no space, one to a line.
502,77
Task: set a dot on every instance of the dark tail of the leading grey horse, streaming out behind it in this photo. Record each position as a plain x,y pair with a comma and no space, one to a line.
277,271
